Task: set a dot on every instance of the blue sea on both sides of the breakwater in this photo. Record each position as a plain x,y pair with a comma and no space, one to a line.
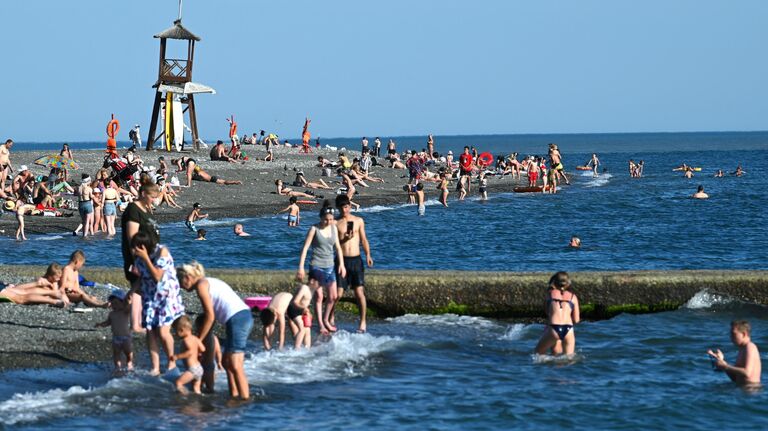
461,372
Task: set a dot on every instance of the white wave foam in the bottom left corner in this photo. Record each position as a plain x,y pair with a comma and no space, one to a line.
117,394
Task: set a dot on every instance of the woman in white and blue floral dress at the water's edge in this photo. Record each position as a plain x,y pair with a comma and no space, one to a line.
160,295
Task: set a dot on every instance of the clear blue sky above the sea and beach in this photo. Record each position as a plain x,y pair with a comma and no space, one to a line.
392,68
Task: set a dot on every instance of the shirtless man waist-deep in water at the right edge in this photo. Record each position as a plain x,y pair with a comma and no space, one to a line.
748,367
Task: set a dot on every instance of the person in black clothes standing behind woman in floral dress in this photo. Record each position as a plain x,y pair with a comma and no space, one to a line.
137,217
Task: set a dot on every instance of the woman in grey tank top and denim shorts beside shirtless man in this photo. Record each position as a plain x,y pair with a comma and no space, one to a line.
324,240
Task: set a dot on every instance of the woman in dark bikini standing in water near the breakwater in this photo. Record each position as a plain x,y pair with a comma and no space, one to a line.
562,308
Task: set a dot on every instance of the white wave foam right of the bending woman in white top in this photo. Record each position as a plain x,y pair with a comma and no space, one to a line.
344,356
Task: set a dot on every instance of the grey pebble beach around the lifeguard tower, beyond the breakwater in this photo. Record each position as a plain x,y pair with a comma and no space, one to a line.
255,197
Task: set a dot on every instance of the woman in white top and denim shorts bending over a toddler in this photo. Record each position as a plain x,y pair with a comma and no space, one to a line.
220,303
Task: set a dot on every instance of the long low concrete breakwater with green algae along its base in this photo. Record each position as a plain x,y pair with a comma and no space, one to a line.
494,294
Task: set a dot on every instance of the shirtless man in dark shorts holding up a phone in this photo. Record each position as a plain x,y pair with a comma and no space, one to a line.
351,236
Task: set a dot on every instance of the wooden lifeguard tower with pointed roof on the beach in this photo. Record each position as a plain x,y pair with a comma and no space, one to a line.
175,89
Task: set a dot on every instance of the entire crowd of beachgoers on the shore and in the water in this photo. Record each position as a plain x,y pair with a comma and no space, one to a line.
153,305
